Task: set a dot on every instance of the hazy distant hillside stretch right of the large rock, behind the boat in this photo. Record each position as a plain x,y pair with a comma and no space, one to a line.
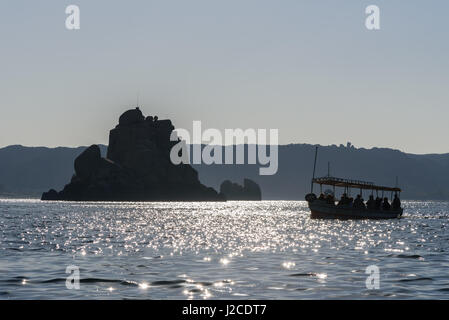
424,177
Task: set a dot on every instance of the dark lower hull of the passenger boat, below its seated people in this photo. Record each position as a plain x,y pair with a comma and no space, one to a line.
323,210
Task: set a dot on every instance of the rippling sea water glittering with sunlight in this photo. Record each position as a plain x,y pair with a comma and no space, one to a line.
233,250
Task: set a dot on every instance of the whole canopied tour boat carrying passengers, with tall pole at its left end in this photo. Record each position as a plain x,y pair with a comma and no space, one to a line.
325,207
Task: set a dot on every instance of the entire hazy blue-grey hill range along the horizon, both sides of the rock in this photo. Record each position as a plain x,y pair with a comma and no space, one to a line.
30,171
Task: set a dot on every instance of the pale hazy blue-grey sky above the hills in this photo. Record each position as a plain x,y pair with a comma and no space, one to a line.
309,68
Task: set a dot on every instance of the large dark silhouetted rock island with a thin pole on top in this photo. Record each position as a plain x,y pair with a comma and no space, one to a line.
137,167
